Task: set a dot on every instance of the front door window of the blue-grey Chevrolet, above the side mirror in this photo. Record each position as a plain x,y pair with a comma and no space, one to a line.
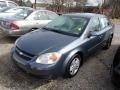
95,24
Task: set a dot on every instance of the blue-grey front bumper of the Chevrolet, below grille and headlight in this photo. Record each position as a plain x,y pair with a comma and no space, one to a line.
34,68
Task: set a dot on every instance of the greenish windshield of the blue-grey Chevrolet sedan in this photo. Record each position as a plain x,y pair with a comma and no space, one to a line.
69,25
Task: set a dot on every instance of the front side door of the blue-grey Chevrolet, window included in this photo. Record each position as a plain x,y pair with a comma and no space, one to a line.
94,41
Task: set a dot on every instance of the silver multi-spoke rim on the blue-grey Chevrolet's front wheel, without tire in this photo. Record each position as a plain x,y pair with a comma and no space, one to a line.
74,66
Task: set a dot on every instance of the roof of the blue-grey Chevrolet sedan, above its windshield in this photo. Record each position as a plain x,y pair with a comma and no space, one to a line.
85,15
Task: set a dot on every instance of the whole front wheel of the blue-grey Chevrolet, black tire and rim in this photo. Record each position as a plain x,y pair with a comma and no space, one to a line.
73,66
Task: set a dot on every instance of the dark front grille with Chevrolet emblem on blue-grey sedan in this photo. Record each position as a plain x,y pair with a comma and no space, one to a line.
23,55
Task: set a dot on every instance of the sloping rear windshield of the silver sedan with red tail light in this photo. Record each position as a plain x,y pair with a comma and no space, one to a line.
23,14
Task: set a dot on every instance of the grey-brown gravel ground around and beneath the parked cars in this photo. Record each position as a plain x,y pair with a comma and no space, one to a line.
93,75
